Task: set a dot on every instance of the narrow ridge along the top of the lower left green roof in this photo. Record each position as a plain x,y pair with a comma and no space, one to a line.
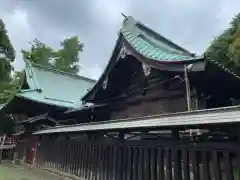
32,64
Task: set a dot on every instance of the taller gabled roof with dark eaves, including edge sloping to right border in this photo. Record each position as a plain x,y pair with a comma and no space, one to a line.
152,49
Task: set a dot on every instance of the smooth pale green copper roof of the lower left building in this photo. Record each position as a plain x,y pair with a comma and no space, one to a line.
54,87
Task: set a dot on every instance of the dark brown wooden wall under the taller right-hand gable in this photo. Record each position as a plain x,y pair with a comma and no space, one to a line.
160,94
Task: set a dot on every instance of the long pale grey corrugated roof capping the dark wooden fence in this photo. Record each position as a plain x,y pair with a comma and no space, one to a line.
194,118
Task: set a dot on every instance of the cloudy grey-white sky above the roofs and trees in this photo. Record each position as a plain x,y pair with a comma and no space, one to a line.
191,24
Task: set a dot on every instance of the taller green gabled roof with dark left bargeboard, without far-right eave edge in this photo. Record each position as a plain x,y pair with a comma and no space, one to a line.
147,44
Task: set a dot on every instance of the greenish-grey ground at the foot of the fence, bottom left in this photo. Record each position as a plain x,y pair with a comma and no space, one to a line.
23,172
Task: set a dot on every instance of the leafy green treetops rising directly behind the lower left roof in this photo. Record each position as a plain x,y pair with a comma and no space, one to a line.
66,58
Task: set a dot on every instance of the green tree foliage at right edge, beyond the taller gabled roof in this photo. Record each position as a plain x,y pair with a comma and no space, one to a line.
226,47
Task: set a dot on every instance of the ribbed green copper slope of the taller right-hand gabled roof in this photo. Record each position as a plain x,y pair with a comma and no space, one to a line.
152,45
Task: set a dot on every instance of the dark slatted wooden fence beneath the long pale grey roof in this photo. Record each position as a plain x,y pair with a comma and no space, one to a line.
141,160
